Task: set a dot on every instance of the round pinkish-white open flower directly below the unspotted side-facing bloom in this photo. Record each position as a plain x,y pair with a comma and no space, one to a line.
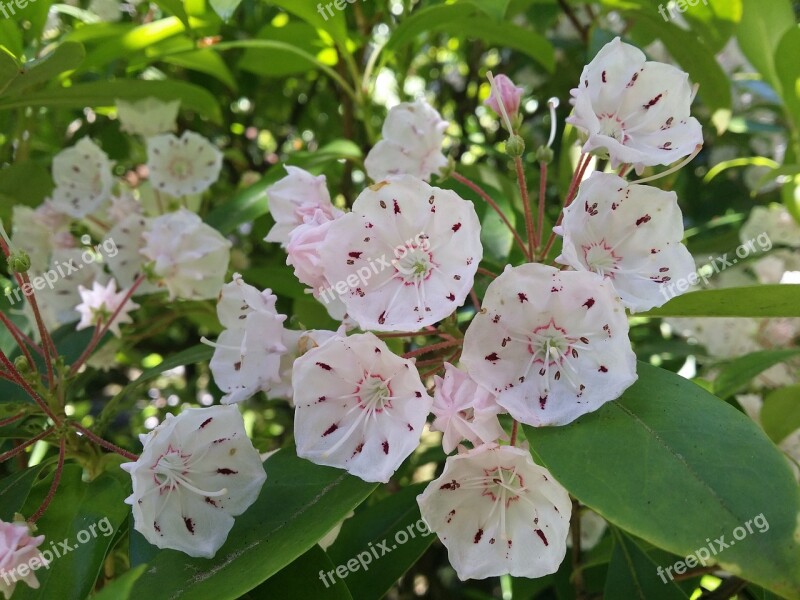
405,257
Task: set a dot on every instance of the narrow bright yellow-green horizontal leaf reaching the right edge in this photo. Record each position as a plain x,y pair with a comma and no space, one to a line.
757,301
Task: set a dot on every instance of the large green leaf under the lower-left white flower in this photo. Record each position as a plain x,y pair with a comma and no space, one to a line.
299,504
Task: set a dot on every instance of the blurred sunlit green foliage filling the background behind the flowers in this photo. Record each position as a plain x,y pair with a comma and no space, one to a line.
275,82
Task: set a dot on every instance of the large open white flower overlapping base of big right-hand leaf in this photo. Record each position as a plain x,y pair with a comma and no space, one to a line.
553,345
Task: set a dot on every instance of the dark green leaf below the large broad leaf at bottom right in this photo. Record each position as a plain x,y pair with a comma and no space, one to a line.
632,574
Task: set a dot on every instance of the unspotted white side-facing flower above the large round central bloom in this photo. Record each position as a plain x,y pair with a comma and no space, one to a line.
412,143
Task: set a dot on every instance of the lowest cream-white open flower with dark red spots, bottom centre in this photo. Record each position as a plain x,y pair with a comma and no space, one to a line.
498,513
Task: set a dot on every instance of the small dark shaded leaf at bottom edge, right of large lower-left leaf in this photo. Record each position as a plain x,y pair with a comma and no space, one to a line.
286,583
